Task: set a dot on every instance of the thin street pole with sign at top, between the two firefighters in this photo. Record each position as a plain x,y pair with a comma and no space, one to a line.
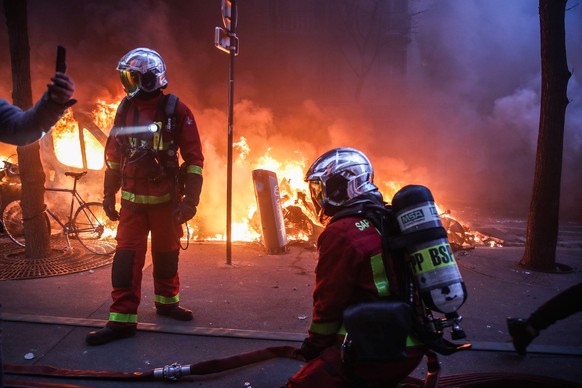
226,40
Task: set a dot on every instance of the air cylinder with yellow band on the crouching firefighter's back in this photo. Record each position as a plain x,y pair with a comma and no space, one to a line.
431,258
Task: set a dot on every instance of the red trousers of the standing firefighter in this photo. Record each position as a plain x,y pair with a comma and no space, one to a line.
132,236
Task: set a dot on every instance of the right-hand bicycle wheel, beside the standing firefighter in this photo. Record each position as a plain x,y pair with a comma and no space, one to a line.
94,230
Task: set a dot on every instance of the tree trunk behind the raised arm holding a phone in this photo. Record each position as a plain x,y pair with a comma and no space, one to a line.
31,172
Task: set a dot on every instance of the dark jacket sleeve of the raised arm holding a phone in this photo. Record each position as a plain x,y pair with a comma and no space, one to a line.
19,127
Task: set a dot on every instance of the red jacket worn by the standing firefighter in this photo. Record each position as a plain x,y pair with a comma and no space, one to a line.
141,152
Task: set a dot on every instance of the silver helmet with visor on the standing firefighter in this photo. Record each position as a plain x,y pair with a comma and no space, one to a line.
142,69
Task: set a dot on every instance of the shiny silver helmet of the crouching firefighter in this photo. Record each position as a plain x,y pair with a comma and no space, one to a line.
338,177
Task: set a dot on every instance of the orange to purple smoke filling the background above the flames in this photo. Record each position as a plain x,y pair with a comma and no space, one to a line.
461,118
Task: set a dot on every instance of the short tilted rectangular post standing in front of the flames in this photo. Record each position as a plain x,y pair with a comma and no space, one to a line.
269,205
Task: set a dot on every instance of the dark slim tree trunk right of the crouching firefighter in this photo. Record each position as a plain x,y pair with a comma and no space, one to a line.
543,220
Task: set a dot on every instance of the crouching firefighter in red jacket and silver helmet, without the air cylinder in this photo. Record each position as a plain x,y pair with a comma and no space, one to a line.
350,272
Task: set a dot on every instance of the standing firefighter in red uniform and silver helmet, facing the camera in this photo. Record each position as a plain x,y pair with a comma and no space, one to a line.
157,195
